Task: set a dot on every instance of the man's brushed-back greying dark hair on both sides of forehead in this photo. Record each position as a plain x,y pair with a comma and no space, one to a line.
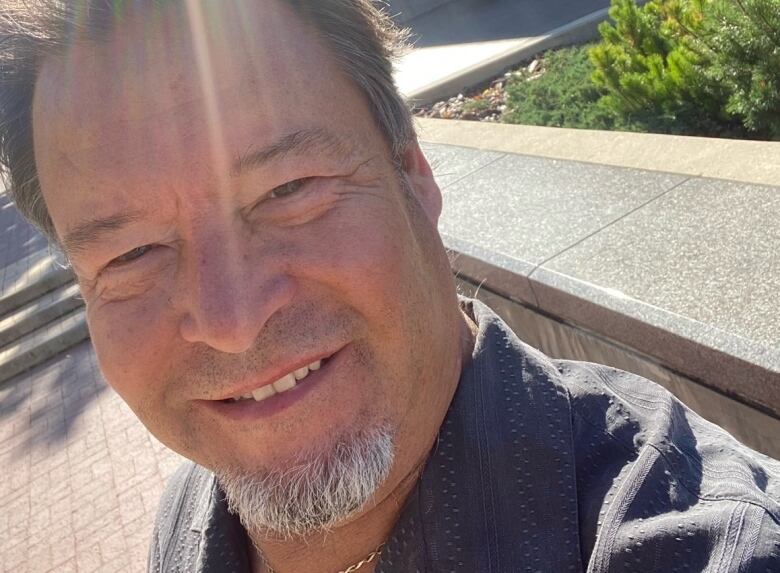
362,37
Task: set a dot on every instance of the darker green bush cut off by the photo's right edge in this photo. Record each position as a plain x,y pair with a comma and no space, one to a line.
741,39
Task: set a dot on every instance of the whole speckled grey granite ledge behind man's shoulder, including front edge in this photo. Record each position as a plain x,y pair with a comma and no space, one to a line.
682,269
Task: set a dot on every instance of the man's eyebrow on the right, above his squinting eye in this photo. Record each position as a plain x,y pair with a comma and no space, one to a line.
296,143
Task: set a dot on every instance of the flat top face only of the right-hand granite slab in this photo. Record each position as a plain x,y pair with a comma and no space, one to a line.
707,251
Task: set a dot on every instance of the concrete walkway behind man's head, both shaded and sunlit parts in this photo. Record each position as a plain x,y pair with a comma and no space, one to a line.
465,42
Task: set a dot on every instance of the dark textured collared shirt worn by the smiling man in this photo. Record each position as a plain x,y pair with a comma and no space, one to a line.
544,466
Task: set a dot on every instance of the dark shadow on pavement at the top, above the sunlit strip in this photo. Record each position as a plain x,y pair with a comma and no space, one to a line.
468,21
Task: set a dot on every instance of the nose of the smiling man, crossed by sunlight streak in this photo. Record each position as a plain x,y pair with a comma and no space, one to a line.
230,295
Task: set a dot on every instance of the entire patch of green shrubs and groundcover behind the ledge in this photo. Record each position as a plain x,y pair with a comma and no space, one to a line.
694,67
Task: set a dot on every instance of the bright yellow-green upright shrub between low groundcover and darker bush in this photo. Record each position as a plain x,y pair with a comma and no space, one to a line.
652,69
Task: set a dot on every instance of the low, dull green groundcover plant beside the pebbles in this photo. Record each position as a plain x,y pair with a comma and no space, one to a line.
563,96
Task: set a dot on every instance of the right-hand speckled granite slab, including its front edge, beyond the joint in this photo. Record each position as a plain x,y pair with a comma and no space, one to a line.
699,267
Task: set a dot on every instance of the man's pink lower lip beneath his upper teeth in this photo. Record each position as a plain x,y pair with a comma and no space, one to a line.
249,410
